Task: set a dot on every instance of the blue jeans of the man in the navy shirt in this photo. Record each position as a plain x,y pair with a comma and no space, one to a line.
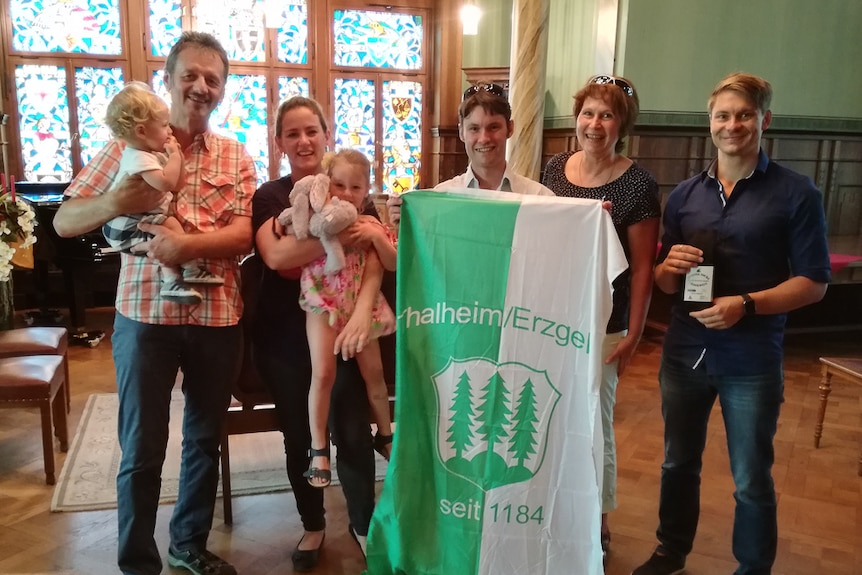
750,406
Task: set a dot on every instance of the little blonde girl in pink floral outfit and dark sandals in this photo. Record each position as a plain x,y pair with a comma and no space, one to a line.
348,303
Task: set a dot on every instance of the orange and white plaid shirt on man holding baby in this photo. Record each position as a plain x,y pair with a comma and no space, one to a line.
219,183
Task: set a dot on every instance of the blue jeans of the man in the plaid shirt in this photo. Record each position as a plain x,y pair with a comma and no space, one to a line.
147,358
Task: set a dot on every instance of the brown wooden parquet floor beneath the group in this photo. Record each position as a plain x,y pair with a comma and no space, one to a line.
820,495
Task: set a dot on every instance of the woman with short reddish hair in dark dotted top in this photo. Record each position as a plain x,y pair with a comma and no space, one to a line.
605,111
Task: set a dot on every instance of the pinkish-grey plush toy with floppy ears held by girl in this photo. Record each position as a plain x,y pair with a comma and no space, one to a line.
314,212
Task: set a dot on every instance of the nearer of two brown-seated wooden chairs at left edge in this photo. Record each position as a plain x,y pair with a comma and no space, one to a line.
38,381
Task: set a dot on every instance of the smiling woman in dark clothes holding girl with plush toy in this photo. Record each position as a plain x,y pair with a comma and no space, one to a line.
281,349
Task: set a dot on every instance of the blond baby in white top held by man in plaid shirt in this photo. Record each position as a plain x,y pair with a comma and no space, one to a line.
139,117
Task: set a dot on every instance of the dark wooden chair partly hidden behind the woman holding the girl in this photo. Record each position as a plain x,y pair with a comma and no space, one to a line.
253,410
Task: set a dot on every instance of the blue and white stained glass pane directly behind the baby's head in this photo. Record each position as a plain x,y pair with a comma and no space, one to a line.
94,88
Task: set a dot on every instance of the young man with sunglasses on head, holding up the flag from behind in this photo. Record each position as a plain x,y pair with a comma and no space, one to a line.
484,125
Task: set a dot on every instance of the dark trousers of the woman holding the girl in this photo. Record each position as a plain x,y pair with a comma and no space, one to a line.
289,382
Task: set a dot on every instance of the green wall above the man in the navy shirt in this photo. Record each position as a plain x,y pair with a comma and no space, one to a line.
810,50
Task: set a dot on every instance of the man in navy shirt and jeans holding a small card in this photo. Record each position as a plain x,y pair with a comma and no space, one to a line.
766,233
